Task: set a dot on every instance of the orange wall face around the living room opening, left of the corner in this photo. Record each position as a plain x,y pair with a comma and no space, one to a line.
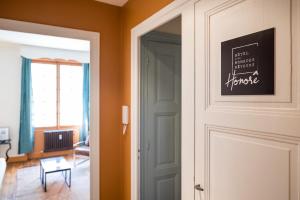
91,16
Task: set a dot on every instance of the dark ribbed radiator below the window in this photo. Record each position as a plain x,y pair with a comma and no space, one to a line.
58,140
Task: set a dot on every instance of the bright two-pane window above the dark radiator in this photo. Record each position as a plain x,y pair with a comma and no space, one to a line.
57,94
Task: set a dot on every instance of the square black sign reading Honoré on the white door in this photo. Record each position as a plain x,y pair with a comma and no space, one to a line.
247,64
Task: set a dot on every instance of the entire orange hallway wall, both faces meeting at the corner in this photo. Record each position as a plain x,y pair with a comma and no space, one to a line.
114,25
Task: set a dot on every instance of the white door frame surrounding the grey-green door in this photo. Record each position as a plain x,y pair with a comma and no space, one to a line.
185,8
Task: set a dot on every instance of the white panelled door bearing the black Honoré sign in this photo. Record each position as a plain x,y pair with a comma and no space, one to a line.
247,147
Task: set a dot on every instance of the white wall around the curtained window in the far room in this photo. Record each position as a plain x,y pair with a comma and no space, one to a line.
10,82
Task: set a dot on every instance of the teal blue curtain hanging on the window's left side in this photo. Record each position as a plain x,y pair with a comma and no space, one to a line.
26,136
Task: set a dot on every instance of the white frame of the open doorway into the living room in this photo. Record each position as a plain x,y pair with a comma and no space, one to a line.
94,38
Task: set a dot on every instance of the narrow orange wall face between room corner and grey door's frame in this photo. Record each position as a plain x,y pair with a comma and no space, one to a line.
133,13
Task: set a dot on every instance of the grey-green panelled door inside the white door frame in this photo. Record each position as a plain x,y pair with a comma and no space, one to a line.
160,118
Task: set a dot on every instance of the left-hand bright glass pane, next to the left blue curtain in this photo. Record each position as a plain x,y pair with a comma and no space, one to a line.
44,95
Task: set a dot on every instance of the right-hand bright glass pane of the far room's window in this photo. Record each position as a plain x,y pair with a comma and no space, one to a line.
71,83
